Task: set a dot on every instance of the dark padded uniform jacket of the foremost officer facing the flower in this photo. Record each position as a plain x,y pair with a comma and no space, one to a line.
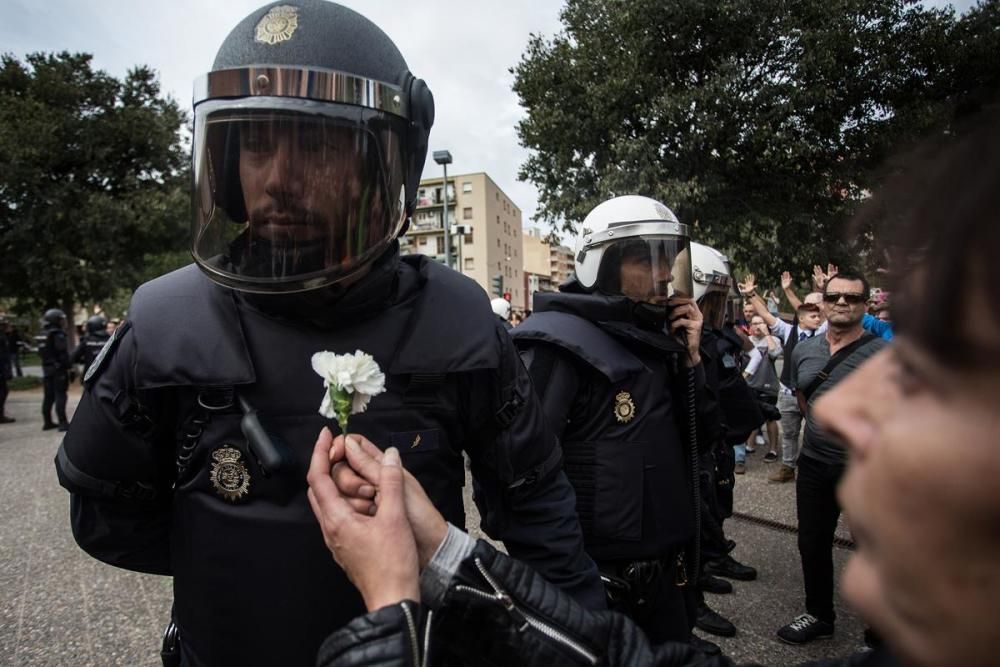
163,480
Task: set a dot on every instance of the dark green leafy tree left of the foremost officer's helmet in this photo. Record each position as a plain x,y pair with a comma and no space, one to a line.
93,180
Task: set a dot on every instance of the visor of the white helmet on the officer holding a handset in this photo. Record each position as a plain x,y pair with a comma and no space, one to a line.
646,269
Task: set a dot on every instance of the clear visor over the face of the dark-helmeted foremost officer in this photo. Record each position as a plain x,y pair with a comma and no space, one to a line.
294,195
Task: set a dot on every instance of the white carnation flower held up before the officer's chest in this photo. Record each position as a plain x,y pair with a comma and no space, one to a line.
350,381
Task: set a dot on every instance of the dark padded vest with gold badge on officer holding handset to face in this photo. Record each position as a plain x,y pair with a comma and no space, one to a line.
622,447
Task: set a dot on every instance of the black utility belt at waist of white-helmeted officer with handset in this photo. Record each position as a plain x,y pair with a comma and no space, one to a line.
629,585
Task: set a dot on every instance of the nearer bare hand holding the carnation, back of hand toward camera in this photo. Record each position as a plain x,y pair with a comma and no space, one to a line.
378,553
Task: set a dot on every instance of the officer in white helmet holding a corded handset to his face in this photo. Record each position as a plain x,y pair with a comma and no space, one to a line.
615,359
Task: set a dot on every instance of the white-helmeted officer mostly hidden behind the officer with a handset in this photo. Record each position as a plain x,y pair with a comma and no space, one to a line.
721,348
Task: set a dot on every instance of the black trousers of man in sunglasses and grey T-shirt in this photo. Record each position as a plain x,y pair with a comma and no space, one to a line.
818,512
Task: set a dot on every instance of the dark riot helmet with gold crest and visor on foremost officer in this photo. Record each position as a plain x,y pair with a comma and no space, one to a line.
310,138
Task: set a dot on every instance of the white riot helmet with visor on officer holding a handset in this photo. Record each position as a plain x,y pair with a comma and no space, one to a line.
641,235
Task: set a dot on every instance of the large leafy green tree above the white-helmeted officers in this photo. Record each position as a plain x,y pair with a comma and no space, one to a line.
762,123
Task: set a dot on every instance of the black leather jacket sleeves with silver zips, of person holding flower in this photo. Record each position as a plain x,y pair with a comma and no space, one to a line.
498,611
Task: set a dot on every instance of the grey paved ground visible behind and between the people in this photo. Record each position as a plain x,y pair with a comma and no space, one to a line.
60,607
